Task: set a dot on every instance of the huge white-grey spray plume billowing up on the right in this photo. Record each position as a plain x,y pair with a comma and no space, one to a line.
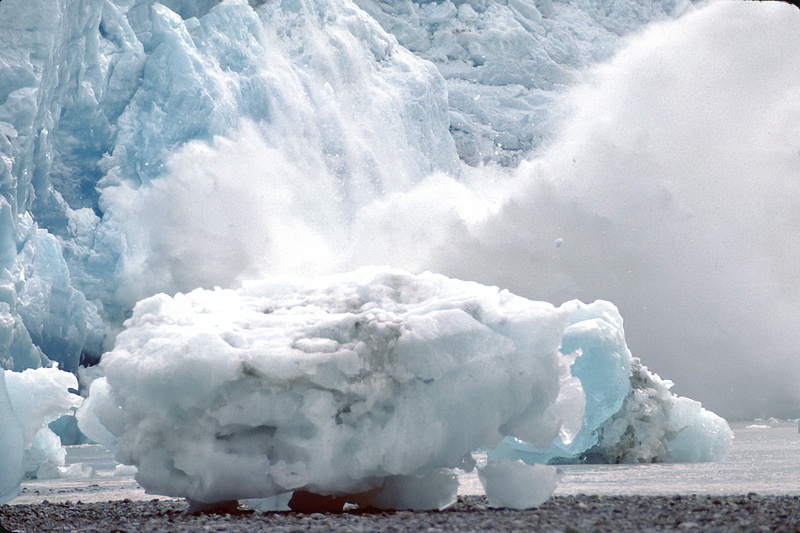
674,188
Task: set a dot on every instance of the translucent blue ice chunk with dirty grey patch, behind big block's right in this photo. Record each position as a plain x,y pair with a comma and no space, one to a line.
631,415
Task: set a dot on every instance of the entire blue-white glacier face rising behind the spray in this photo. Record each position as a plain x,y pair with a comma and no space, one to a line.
98,96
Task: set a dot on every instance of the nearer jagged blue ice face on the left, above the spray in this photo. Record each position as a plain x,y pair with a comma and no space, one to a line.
97,95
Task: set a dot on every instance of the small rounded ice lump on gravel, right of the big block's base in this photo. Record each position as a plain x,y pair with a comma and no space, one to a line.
517,485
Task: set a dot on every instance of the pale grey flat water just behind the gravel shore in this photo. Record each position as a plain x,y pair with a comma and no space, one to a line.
765,459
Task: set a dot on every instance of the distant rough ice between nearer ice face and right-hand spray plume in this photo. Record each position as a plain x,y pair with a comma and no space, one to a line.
504,61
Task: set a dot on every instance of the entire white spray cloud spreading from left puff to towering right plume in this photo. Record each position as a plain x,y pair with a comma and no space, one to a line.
670,189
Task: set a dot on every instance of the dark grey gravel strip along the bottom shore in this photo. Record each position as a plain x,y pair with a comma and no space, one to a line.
746,513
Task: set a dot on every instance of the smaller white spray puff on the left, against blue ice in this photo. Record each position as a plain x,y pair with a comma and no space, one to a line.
235,209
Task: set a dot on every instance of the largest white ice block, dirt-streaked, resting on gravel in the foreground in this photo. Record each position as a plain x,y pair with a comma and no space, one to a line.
363,385
